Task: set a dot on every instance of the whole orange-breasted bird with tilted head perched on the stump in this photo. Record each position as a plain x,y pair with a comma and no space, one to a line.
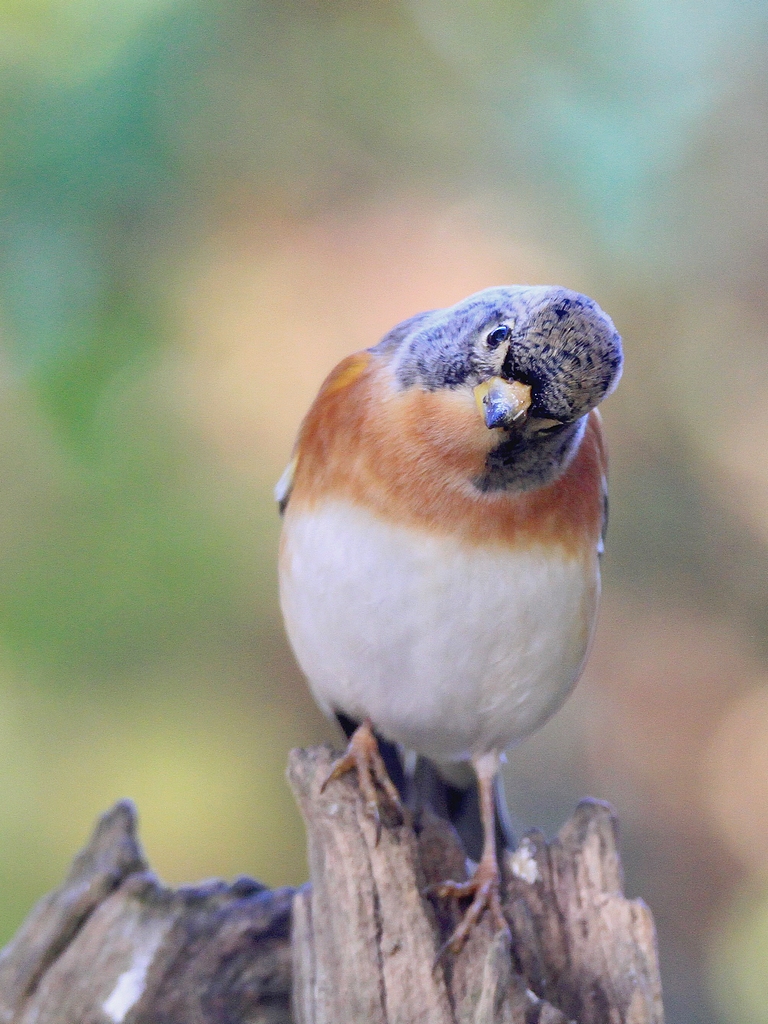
444,518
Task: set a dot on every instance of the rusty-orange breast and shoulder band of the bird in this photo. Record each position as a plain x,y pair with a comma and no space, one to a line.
410,457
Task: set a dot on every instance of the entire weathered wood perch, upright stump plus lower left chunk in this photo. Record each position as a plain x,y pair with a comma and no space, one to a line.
114,947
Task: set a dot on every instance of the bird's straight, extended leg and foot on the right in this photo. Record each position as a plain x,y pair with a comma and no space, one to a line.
485,886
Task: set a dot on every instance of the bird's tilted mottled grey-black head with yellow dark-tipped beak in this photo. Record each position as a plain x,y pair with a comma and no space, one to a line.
537,359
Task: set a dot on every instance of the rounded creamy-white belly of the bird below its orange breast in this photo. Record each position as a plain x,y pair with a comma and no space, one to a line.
451,651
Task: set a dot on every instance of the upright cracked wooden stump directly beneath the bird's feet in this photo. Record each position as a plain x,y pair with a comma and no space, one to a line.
365,942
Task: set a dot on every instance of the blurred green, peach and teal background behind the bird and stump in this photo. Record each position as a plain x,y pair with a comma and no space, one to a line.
204,205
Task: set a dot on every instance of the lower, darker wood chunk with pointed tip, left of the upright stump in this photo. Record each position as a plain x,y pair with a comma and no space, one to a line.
114,946
